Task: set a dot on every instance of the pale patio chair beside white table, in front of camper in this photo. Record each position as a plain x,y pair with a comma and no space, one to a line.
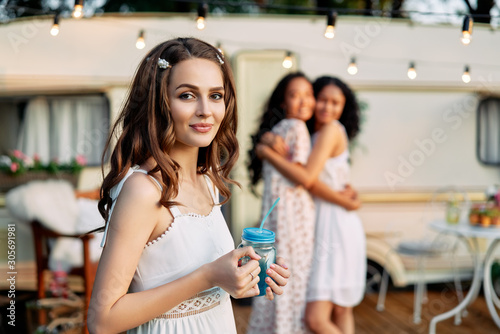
429,247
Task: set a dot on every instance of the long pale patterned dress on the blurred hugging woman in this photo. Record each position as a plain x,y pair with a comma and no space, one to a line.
293,221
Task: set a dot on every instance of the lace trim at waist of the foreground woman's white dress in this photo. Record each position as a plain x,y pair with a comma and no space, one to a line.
199,303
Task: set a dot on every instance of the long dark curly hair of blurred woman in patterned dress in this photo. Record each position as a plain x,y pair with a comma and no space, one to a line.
273,113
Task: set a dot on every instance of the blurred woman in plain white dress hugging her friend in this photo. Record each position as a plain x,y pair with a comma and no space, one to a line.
337,281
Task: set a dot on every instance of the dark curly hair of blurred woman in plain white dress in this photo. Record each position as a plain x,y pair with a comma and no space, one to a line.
350,117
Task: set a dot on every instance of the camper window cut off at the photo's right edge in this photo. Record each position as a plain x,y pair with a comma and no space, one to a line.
488,131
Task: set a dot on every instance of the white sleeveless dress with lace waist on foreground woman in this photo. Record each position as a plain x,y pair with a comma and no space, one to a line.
191,241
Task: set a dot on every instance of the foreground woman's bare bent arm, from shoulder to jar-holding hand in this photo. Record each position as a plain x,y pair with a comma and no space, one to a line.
112,309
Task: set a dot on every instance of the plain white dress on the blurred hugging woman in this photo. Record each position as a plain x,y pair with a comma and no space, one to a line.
339,264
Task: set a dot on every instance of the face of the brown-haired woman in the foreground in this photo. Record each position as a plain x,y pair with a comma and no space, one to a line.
196,95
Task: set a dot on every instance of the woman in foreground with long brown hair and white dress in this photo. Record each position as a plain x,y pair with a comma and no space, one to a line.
169,264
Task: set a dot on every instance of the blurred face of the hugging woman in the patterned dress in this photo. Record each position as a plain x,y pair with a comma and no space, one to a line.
299,99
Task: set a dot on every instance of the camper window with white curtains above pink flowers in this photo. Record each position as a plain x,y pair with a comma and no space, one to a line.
55,127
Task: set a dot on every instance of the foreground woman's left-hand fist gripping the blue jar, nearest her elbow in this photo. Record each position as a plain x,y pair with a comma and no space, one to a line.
239,282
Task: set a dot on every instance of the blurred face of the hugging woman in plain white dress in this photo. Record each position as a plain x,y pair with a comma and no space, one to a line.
330,104
